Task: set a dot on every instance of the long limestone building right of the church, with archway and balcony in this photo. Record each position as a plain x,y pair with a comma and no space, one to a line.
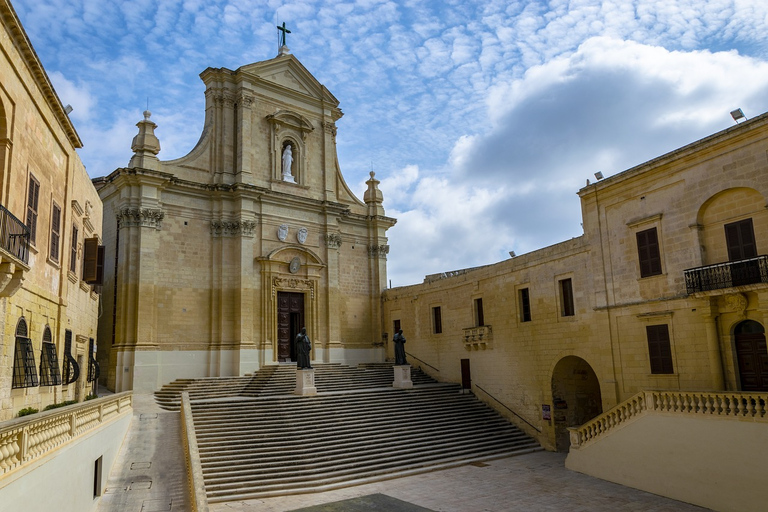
667,289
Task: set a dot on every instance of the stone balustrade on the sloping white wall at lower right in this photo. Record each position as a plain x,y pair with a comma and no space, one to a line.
736,405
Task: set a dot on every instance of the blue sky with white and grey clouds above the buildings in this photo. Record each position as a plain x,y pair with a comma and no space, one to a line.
481,118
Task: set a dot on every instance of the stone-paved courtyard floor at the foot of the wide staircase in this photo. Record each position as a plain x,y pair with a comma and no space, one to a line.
534,482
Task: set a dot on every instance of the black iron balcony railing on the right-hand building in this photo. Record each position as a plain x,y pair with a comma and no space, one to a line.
727,275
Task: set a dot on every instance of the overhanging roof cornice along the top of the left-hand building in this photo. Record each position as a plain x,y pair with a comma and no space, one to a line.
19,37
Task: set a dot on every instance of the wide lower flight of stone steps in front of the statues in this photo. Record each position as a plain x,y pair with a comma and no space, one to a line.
272,444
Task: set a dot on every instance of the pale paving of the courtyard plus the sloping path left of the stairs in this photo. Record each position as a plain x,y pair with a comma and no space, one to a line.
149,476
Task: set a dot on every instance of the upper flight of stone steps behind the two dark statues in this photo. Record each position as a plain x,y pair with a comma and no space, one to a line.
281,380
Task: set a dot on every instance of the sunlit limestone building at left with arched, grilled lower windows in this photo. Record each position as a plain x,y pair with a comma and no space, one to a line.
50,214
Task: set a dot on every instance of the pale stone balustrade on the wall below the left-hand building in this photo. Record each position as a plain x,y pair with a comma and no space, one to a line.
25,439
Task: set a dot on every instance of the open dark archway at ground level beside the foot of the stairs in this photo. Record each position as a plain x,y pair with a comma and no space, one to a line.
576,397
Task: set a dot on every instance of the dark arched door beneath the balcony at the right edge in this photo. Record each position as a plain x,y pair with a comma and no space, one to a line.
752,356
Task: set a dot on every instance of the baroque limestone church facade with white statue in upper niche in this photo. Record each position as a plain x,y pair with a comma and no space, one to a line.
217,259
